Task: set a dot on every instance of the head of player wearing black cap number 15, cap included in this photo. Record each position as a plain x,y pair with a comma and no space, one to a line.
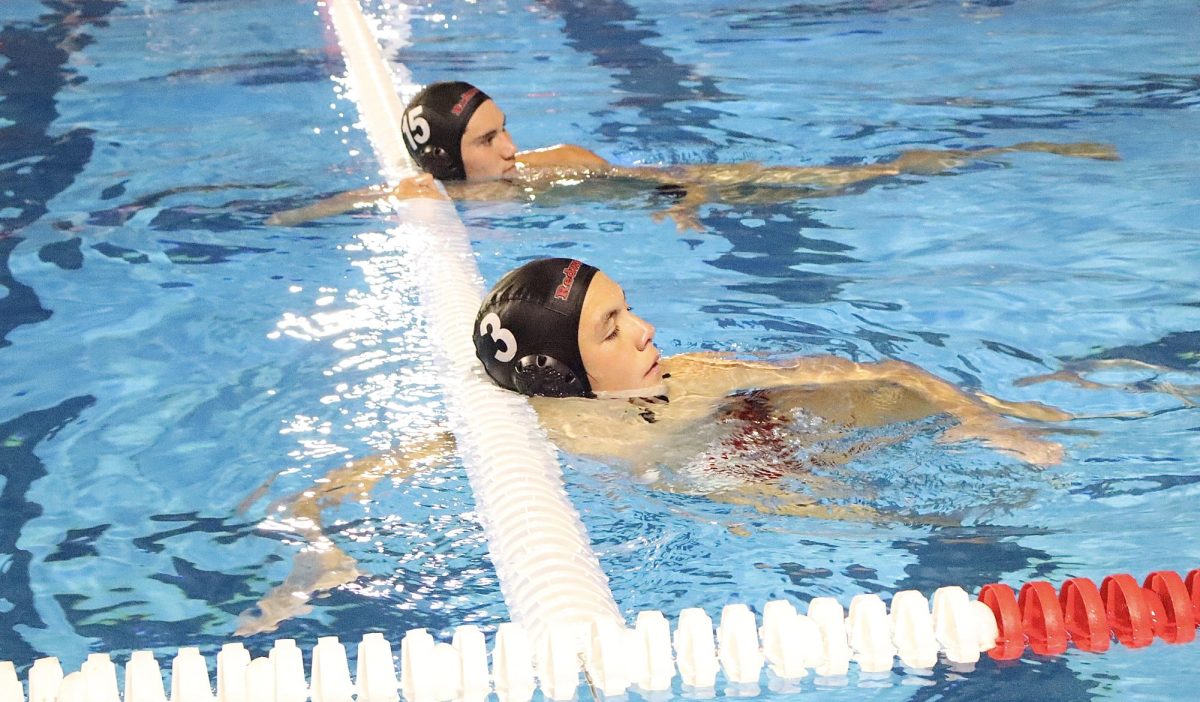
455,131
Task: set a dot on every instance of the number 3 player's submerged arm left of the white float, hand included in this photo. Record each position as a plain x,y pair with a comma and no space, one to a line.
322,566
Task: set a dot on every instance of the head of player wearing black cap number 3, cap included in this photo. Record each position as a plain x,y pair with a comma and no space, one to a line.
561,328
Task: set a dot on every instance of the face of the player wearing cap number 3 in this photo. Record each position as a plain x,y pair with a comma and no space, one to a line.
616,345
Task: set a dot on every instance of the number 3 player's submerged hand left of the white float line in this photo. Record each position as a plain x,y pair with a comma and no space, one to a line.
322,567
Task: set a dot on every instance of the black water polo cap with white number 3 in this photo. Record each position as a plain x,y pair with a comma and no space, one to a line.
527,329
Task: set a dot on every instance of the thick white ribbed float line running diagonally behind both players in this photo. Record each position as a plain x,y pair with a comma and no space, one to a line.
497,431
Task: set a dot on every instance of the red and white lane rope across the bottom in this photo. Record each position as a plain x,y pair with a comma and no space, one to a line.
778,649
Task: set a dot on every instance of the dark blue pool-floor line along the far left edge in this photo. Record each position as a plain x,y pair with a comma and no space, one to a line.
40,165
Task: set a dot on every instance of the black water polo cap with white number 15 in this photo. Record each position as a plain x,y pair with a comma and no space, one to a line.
434,125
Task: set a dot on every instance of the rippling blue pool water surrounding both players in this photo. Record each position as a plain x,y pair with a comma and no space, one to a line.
170,367
